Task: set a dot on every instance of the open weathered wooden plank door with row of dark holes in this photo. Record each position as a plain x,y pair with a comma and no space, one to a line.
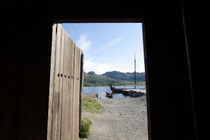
65,87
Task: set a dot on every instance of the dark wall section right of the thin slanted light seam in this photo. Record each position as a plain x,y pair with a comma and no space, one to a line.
197,32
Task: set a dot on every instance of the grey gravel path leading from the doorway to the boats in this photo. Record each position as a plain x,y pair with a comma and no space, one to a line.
122,119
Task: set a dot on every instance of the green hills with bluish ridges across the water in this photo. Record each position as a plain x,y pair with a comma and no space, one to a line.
114,77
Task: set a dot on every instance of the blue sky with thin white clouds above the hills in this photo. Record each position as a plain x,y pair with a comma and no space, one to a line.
109,46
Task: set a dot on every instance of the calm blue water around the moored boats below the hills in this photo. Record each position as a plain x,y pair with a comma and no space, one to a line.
102,91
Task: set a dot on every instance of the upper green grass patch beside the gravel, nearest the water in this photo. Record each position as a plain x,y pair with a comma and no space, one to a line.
91,105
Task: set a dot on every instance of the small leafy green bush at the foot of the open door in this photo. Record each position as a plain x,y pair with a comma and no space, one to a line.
85,128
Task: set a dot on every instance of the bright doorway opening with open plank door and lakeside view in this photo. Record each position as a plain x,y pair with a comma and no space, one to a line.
112,84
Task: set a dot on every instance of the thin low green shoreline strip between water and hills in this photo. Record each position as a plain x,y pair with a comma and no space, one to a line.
115,84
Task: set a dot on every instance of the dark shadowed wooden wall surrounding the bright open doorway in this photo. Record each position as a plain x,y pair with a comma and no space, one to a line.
26,30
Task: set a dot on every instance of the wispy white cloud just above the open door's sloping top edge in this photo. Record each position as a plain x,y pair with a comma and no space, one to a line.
84,43
